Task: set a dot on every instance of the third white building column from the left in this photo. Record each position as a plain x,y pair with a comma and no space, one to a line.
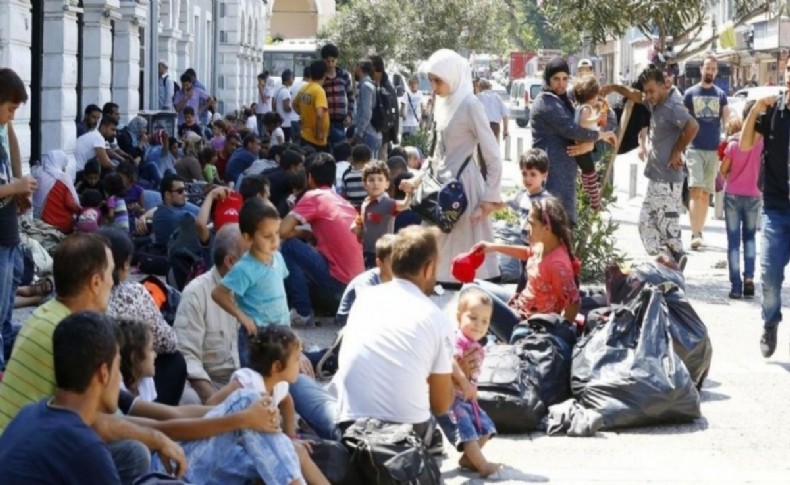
97,50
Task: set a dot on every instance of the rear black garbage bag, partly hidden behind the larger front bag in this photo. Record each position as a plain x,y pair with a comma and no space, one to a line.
689,334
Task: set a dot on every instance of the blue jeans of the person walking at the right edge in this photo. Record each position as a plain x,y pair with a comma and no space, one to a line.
776,254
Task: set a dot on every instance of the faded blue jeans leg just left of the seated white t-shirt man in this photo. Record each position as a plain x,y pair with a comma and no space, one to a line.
316,406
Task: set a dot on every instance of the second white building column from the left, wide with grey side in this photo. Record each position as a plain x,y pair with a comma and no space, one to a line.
59,78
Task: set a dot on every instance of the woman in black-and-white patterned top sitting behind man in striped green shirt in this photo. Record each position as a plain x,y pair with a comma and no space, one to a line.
131,300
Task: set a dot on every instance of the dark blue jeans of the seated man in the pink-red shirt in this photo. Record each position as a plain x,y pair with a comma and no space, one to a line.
305,264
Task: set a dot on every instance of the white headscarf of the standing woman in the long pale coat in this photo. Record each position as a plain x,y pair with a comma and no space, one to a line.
454,70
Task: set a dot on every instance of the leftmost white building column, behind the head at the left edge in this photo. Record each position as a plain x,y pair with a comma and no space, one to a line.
15,43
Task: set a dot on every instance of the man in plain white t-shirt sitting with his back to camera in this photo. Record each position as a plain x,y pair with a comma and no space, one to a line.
397,355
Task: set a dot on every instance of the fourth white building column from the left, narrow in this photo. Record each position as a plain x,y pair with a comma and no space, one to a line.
126,59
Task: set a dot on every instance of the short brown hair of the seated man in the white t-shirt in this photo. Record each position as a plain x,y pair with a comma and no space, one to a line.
413,248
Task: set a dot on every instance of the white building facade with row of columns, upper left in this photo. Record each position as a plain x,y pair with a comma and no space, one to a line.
72,53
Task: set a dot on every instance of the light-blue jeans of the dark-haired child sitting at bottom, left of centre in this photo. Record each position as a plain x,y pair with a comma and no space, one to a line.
242,456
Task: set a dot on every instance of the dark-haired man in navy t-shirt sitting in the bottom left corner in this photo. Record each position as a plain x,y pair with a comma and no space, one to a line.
52,441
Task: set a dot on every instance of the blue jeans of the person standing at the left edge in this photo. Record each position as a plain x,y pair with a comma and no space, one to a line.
12,266
